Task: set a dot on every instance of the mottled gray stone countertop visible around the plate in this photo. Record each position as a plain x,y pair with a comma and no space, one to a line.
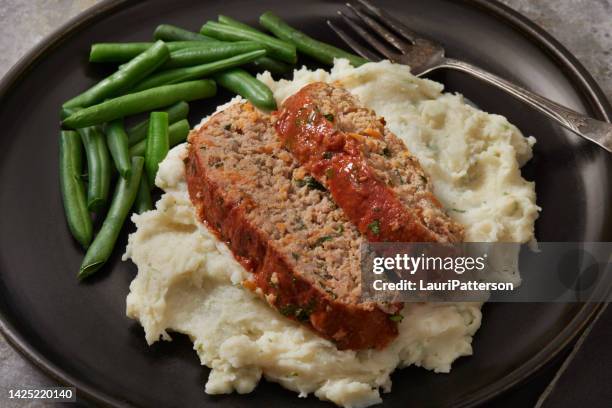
583,26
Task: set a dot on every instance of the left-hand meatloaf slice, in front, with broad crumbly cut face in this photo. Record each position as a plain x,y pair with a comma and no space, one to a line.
283,226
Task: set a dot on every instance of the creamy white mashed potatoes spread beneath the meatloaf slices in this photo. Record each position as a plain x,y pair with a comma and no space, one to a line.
188,281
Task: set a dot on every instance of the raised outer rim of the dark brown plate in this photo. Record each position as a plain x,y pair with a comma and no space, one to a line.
562,57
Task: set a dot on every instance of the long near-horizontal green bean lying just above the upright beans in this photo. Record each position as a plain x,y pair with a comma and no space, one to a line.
142,101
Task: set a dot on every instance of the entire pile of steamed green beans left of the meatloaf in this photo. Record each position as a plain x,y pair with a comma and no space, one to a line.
103,149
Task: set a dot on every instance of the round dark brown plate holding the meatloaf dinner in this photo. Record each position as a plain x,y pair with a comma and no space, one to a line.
79,333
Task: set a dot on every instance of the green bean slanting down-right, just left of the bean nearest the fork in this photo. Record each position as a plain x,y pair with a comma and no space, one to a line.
276,48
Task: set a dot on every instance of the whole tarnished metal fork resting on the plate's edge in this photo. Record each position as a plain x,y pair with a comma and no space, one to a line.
400,44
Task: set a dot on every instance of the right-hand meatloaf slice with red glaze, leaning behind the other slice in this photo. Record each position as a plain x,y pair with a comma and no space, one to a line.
368,170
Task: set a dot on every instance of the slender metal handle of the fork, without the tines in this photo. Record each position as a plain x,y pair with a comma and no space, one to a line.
592,129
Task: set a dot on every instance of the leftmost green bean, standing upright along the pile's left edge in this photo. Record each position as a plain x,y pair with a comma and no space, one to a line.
73,190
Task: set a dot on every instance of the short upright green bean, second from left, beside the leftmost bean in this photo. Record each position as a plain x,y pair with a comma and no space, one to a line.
98,167
